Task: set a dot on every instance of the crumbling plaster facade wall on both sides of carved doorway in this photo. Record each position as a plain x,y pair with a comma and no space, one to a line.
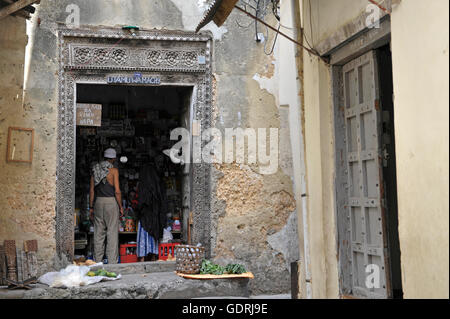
253,215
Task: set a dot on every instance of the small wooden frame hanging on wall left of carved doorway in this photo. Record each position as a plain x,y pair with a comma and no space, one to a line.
20,145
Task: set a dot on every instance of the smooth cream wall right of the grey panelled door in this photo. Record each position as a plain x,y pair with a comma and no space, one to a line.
421,133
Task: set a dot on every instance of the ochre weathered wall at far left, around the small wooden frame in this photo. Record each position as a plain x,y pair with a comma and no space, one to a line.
26,190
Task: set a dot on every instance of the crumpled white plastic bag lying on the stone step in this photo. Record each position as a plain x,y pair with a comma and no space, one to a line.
72,276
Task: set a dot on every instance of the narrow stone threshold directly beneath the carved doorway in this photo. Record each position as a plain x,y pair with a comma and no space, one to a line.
139,268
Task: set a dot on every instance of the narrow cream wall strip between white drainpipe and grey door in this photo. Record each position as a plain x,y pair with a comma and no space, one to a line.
319,22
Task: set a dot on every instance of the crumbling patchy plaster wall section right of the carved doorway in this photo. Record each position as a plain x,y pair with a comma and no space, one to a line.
252,209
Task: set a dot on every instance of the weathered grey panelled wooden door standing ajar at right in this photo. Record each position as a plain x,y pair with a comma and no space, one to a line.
364,169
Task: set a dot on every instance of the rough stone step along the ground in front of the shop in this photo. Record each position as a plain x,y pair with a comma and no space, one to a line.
156,285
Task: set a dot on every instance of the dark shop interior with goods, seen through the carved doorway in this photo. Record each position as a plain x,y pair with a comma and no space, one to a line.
136,121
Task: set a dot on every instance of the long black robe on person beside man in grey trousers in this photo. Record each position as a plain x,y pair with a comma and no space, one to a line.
152,205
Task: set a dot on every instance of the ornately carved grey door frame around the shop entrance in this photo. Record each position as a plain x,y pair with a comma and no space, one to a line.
89,56
